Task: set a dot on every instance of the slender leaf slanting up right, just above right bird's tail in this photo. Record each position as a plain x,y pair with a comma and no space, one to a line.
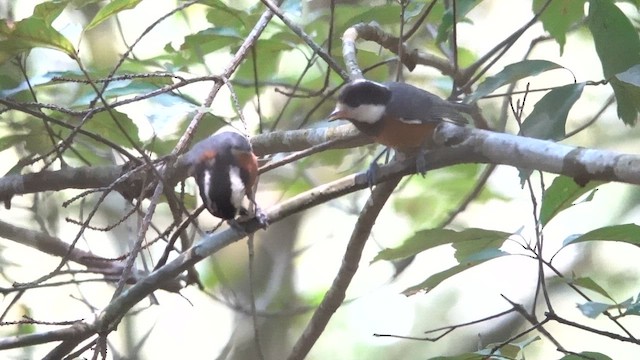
510,74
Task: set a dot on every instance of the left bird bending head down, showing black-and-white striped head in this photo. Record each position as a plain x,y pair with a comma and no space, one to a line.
225,169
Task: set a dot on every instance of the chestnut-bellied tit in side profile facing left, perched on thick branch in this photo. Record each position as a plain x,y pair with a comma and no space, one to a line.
398,115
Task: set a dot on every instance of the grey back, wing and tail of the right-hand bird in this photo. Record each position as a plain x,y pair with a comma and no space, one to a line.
419,106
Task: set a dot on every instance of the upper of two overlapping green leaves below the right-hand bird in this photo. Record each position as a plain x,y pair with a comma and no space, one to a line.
468,241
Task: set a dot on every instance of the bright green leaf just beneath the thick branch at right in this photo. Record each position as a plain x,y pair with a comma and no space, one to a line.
561,195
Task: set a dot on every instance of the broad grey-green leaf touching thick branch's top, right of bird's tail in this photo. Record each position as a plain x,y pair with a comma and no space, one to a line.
549,115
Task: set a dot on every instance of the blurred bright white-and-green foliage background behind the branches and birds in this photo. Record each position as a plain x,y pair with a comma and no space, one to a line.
57,55
